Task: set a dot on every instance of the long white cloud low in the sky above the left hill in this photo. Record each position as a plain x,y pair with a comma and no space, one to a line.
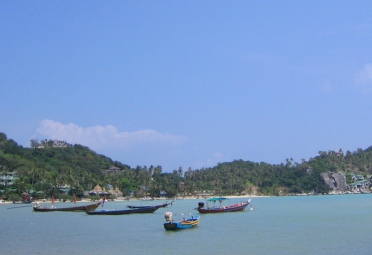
100,137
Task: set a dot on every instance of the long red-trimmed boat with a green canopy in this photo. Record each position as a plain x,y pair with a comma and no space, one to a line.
221,208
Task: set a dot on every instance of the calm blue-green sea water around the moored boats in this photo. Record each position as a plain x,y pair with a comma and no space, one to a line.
323,224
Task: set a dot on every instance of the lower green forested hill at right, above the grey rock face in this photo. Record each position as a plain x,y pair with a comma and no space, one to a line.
289,177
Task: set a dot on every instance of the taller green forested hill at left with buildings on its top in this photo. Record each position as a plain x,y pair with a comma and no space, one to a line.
46,166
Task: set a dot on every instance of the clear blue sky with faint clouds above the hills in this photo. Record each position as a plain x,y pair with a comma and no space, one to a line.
188,84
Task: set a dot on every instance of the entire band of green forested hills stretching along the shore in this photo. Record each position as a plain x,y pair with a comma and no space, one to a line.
51,164
